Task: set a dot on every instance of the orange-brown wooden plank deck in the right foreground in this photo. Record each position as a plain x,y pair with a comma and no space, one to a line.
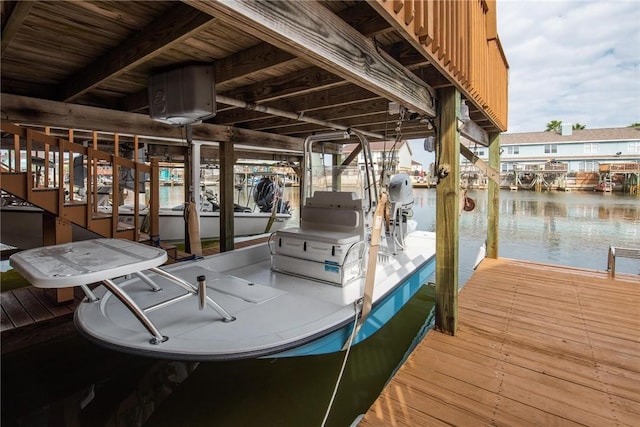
536,345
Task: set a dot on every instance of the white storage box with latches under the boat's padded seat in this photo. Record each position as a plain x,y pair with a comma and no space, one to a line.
323,255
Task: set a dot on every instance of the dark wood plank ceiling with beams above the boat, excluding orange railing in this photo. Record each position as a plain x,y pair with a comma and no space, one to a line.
101,54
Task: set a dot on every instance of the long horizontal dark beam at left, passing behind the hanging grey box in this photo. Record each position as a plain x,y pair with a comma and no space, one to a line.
21,109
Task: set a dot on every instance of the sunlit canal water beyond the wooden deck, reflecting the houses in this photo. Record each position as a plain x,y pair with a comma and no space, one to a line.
573,229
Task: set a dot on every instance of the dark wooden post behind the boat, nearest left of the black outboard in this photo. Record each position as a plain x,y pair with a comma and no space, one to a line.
226,196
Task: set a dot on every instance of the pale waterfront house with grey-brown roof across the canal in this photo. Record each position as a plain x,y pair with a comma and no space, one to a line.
570,159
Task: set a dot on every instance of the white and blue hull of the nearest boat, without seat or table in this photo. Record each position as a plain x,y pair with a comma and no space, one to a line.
276,314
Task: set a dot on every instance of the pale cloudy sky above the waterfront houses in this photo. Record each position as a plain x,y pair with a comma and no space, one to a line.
574,61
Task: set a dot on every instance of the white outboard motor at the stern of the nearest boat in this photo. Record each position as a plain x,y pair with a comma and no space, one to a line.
400,192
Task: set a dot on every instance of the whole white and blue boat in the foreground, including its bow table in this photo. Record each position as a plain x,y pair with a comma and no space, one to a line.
318,288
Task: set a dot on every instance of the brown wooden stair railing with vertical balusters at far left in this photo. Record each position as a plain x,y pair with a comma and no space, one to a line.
42,170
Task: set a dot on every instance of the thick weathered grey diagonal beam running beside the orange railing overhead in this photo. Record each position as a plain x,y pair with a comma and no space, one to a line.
297,27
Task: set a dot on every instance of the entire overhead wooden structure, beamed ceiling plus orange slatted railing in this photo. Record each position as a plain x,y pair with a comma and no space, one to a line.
343,64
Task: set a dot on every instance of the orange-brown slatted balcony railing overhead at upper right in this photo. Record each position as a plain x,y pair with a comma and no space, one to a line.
460,39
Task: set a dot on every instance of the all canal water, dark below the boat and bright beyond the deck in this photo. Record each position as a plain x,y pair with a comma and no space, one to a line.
69,381
